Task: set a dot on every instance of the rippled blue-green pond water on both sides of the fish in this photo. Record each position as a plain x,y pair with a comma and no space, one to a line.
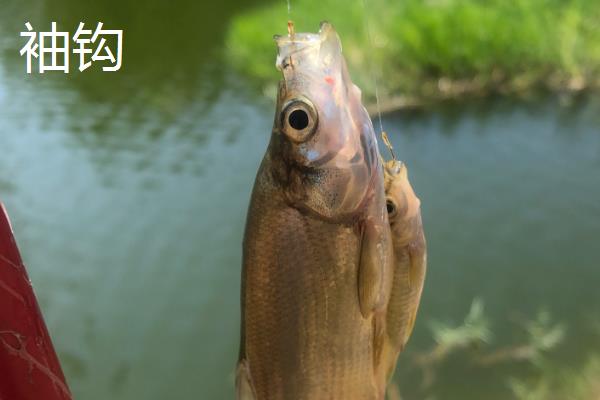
128,195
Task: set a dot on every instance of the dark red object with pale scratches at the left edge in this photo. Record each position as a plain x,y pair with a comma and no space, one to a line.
29,367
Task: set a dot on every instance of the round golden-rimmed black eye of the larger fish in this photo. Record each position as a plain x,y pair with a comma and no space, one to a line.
299,120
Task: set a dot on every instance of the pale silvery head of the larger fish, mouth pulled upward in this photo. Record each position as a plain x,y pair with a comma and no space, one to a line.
322,134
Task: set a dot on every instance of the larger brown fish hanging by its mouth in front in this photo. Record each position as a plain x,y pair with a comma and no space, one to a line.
317,259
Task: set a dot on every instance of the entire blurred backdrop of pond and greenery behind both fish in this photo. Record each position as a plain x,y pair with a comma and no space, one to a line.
128,190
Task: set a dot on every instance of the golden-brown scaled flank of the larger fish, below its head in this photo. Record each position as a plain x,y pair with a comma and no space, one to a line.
296,301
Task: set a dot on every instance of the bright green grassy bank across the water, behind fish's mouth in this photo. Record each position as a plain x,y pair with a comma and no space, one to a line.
429,49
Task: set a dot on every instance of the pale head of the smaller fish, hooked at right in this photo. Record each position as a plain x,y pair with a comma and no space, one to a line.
402,203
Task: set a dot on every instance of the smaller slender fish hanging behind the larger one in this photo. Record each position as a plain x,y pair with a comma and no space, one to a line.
410,262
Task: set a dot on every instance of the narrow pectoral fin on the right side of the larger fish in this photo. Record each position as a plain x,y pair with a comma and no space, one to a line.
375,268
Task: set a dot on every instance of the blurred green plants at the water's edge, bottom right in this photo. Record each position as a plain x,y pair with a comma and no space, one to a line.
546,380
